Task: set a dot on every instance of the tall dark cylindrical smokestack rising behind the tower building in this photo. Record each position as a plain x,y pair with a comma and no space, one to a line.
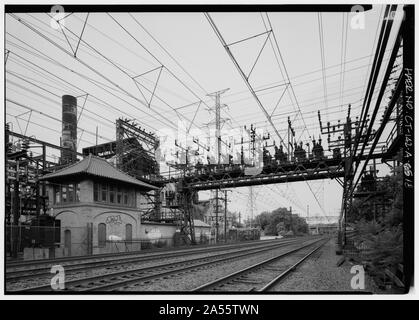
69,131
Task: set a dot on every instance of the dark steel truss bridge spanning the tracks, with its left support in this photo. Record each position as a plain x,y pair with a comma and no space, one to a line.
213,177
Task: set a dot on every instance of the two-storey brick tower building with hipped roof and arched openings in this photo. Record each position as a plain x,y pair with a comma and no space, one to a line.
94,202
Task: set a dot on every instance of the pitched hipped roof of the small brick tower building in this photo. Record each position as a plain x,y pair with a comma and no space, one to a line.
95,166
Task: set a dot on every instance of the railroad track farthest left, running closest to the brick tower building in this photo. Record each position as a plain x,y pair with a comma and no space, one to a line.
27,270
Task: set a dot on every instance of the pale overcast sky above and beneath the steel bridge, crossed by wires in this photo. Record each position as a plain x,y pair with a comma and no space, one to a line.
117,47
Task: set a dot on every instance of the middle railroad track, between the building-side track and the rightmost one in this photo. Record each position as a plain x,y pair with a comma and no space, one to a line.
135,277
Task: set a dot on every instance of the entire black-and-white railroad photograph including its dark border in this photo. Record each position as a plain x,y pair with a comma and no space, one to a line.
208,149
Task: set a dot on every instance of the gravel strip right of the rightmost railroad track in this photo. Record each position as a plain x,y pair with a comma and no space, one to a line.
321,273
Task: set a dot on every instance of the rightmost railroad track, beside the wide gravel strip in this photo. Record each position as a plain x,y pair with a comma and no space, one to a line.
264,275
